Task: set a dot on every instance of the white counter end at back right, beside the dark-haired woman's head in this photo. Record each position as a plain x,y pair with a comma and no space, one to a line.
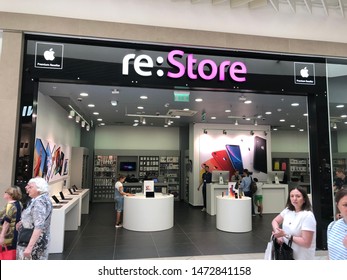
274,198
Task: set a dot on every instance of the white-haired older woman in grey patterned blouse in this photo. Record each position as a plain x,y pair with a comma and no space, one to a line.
36,220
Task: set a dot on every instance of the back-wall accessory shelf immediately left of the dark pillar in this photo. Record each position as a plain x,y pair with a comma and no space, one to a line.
170,174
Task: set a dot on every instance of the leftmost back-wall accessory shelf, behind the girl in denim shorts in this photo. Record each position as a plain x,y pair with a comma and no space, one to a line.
105,171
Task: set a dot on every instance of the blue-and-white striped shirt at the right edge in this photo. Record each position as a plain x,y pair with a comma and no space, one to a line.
336,233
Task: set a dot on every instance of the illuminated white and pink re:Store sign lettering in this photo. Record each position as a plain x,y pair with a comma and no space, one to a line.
206,69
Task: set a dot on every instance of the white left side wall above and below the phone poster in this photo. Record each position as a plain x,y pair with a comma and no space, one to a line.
54,126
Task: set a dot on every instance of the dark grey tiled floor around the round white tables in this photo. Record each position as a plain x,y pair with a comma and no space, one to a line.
194,236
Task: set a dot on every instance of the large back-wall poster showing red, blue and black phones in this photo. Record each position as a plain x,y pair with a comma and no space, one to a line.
236,151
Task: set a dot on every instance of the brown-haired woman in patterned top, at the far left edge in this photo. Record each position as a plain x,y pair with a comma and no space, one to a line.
9,217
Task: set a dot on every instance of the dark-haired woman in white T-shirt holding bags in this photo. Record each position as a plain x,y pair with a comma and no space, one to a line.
296,223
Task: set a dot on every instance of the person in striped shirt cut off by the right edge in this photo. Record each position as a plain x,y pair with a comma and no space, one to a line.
337,230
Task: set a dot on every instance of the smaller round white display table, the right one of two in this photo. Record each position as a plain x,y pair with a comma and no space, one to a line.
234,215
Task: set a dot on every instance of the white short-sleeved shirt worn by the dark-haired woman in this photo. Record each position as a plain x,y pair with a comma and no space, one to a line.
293,224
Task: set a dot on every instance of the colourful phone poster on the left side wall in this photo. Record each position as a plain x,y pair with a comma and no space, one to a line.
51,161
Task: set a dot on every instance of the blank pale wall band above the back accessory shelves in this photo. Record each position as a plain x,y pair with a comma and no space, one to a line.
137,138
